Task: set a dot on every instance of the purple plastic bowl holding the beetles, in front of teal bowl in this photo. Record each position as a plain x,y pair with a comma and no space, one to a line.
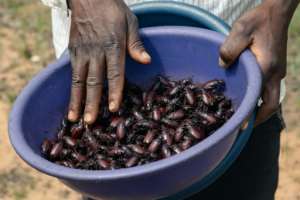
177,52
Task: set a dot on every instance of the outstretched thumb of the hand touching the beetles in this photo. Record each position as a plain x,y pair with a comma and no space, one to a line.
134,44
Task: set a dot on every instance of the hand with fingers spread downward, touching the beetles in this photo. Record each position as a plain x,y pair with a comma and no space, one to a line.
101,32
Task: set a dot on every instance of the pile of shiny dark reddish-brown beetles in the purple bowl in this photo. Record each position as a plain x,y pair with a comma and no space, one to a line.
168,118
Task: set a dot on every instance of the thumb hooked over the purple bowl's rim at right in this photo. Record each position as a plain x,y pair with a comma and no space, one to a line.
237,41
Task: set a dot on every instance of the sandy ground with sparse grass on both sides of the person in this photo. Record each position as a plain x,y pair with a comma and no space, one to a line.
25,47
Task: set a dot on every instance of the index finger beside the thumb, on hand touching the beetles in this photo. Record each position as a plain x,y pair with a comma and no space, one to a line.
115,61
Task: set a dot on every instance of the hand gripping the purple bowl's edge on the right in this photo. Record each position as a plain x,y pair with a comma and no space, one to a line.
265,31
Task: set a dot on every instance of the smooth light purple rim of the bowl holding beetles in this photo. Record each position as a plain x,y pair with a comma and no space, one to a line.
38,162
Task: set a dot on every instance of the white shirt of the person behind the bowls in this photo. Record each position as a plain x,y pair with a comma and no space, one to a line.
228,10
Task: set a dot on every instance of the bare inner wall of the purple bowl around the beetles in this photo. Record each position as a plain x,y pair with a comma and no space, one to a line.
176,52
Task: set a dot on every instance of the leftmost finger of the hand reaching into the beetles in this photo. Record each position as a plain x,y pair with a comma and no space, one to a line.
79,72
